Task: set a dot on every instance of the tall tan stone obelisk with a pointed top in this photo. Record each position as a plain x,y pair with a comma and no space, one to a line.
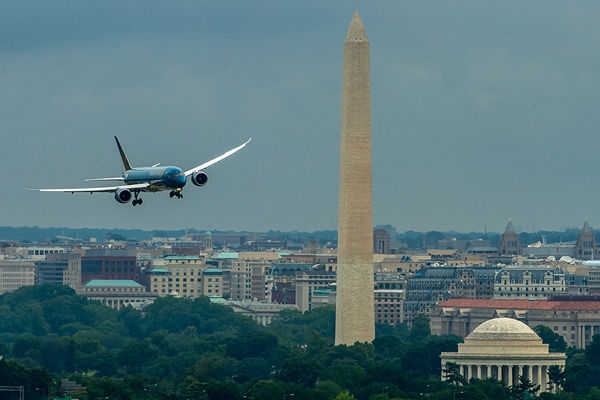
354,319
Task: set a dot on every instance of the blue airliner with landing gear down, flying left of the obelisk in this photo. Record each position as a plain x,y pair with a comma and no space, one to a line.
150,179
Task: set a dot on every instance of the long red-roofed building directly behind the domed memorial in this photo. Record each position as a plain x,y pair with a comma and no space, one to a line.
575,318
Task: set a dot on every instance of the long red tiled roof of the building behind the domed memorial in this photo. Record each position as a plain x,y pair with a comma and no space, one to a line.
524,304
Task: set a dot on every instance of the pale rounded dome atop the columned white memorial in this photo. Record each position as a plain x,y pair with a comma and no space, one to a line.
503,329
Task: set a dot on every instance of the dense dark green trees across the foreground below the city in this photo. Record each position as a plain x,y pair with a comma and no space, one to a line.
194,349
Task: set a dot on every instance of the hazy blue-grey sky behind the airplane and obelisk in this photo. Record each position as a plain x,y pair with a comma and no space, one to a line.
480,111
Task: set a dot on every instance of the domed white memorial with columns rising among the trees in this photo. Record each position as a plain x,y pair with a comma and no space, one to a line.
504,349
